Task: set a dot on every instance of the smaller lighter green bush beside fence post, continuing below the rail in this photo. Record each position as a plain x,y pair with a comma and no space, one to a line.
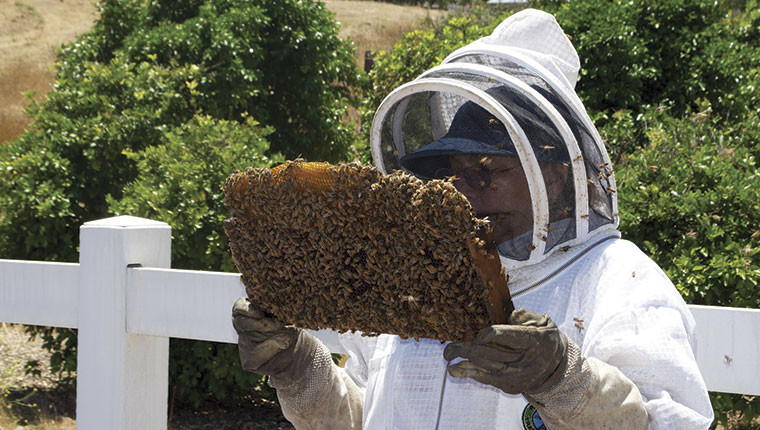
180,182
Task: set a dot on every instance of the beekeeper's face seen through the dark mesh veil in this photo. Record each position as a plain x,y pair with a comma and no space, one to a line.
495,187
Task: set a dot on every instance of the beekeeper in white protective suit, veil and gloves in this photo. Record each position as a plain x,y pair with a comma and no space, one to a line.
601,338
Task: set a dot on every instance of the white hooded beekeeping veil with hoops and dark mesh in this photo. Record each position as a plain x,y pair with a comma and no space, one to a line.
510,94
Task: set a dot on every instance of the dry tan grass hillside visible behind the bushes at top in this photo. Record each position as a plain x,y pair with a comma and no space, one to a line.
31,30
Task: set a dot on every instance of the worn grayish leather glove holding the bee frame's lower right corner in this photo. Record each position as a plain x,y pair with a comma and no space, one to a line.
528,355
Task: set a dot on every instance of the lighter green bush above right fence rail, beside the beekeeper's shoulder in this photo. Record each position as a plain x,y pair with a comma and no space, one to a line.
689,199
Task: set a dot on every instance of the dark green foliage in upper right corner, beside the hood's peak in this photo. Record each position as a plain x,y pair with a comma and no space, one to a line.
672,52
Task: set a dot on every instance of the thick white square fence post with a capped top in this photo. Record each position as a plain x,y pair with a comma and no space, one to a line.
122,379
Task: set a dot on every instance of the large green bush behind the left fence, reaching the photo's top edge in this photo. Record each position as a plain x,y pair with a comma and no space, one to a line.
128,93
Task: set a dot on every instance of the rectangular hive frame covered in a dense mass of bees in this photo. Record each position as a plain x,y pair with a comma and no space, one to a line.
346,248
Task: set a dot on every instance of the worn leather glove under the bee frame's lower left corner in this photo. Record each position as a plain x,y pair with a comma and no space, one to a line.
267,346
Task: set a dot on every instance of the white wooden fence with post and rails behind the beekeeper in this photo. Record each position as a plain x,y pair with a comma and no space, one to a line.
127,303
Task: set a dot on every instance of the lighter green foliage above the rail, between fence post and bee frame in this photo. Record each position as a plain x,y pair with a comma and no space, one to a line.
180,182
